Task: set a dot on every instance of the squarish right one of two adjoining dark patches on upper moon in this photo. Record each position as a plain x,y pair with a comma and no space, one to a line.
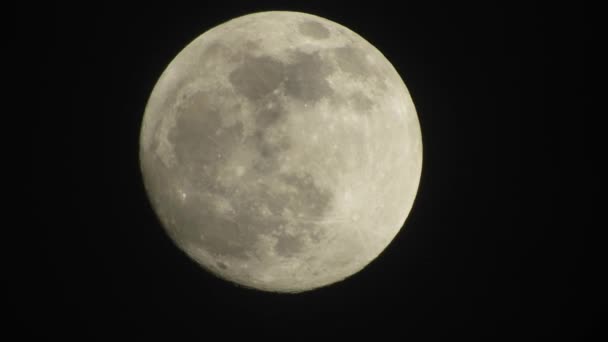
307,77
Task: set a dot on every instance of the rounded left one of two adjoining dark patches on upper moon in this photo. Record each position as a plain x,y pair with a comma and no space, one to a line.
257,77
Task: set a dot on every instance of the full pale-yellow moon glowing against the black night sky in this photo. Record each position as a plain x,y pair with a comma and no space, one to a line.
281,151
